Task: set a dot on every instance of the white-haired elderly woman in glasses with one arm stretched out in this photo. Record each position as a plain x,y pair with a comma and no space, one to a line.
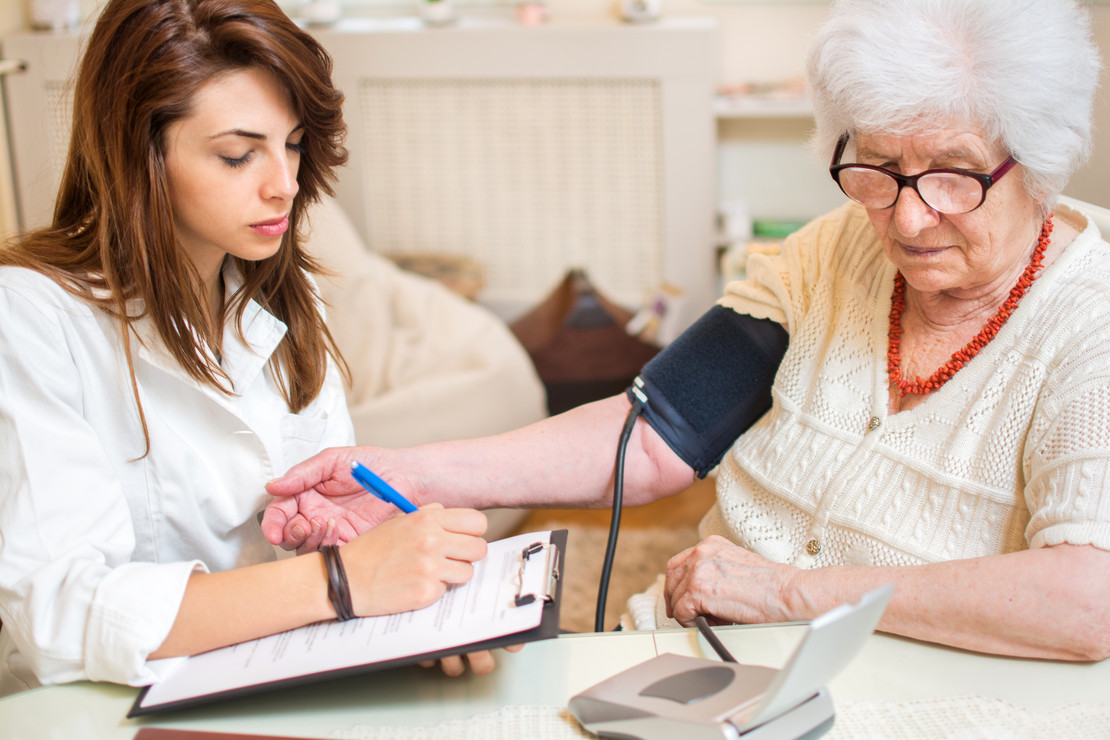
942,414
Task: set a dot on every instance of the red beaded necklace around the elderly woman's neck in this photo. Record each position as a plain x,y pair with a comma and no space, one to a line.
920,388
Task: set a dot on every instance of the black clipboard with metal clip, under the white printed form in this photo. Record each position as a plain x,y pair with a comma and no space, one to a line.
554,552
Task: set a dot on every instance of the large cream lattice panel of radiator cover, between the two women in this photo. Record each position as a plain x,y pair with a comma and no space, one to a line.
527,178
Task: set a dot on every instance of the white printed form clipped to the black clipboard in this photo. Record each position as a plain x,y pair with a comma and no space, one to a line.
481,610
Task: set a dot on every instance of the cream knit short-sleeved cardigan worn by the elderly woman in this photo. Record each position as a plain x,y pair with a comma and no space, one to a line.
1013,453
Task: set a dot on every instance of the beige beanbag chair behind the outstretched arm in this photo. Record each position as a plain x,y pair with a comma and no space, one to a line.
427,364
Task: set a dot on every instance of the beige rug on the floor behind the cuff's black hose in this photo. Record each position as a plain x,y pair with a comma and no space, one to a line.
642,555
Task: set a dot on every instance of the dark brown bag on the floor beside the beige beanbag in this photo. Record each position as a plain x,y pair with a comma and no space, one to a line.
578,341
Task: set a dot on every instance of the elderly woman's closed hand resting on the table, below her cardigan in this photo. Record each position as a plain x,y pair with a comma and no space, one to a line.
729,584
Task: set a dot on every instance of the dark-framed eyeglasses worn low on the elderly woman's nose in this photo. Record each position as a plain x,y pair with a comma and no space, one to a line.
947,190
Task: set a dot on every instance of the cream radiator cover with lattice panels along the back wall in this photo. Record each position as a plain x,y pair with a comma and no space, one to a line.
532,150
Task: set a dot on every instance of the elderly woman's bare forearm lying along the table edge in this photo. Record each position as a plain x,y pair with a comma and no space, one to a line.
1048,603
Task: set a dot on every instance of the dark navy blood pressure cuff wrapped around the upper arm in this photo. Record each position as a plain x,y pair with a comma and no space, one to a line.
711,384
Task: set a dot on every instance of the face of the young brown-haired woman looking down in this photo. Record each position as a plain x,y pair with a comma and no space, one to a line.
231,167
